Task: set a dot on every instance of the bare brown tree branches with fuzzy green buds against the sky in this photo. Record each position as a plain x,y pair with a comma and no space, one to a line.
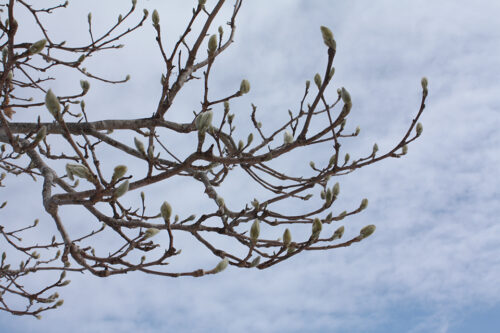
66,155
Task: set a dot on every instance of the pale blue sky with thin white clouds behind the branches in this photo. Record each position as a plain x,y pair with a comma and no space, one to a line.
433,264
